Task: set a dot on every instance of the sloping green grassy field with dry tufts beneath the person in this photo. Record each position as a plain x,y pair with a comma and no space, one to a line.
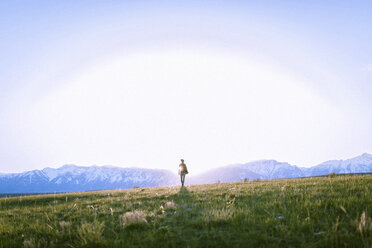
330,211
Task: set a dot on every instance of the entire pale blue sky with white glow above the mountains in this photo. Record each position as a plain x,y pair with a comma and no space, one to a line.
145,83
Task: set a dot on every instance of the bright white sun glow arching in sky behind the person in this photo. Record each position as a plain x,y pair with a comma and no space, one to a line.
154,107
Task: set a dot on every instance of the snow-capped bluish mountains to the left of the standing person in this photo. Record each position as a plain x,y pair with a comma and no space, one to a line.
71,178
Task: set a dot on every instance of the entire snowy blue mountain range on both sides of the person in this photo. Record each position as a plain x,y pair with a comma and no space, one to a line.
72,178
